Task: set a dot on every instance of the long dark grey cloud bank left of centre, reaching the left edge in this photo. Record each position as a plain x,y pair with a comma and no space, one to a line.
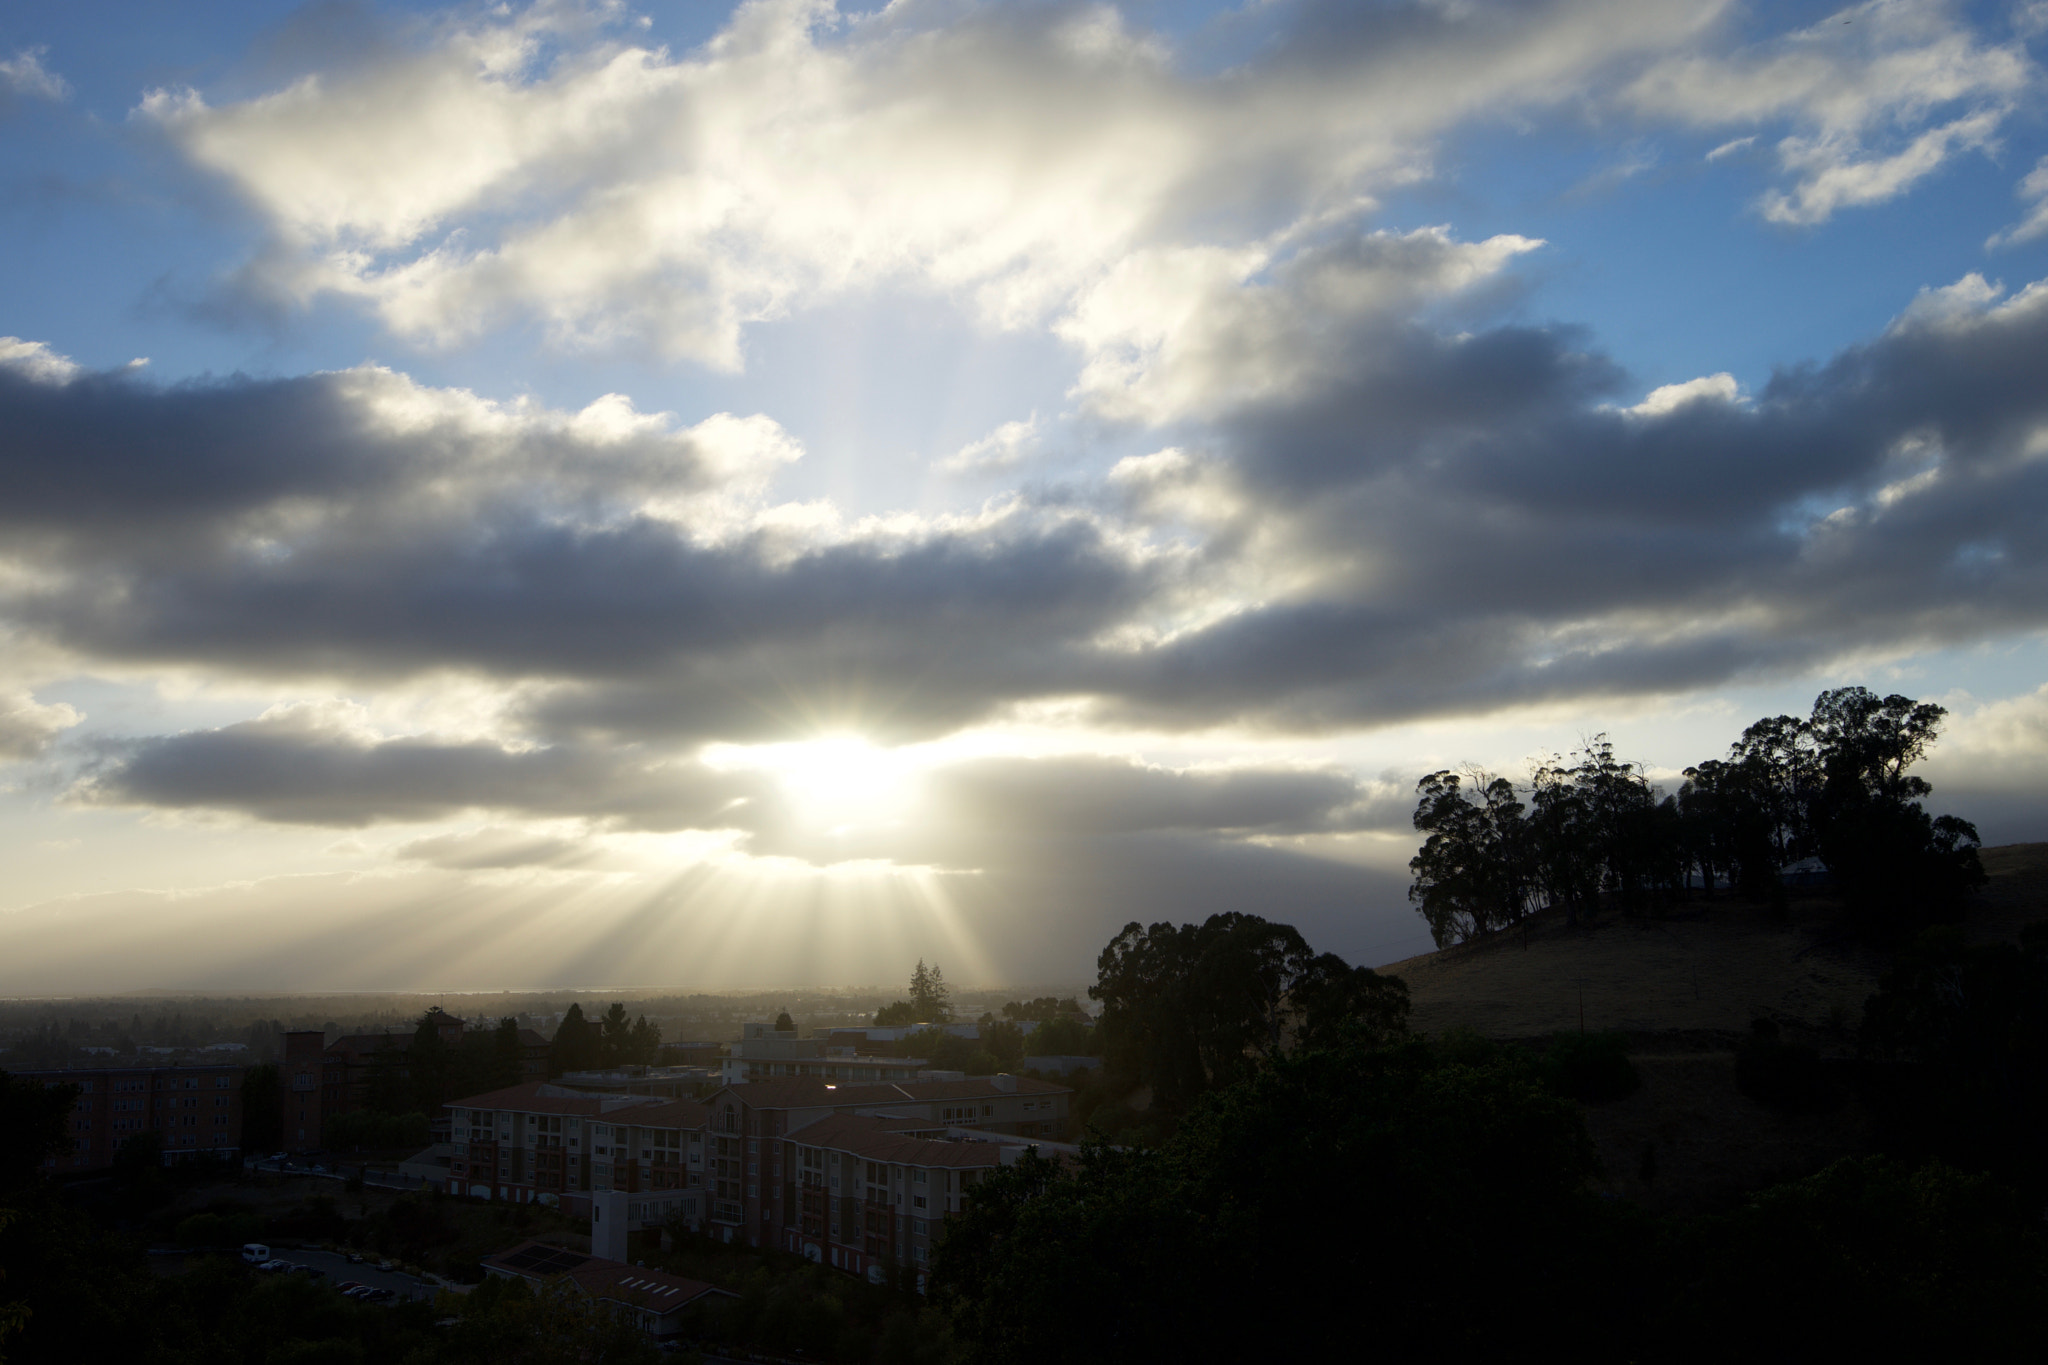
359,527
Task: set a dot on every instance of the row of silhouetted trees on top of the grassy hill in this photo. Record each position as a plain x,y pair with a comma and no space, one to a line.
1592,832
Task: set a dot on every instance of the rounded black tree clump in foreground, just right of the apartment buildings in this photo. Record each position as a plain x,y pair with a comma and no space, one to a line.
1293,1215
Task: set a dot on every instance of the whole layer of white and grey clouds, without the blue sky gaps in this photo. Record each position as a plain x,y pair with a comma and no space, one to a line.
527,642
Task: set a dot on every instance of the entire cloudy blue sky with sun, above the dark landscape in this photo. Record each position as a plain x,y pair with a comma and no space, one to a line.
589,494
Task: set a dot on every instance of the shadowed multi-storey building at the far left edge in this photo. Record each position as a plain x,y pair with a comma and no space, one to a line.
196,1110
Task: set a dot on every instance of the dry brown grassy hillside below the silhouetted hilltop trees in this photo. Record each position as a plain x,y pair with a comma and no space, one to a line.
1687,985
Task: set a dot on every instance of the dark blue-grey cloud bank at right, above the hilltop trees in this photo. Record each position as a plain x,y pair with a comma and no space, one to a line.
1529,543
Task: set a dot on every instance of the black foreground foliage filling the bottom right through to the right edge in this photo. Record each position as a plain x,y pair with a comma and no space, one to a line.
1431,1202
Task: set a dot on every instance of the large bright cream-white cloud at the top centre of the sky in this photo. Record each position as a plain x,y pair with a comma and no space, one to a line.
527,165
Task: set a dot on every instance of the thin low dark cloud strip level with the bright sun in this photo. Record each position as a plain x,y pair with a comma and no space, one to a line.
318,766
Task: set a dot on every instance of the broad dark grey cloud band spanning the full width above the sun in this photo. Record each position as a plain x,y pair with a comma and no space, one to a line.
1482,527
